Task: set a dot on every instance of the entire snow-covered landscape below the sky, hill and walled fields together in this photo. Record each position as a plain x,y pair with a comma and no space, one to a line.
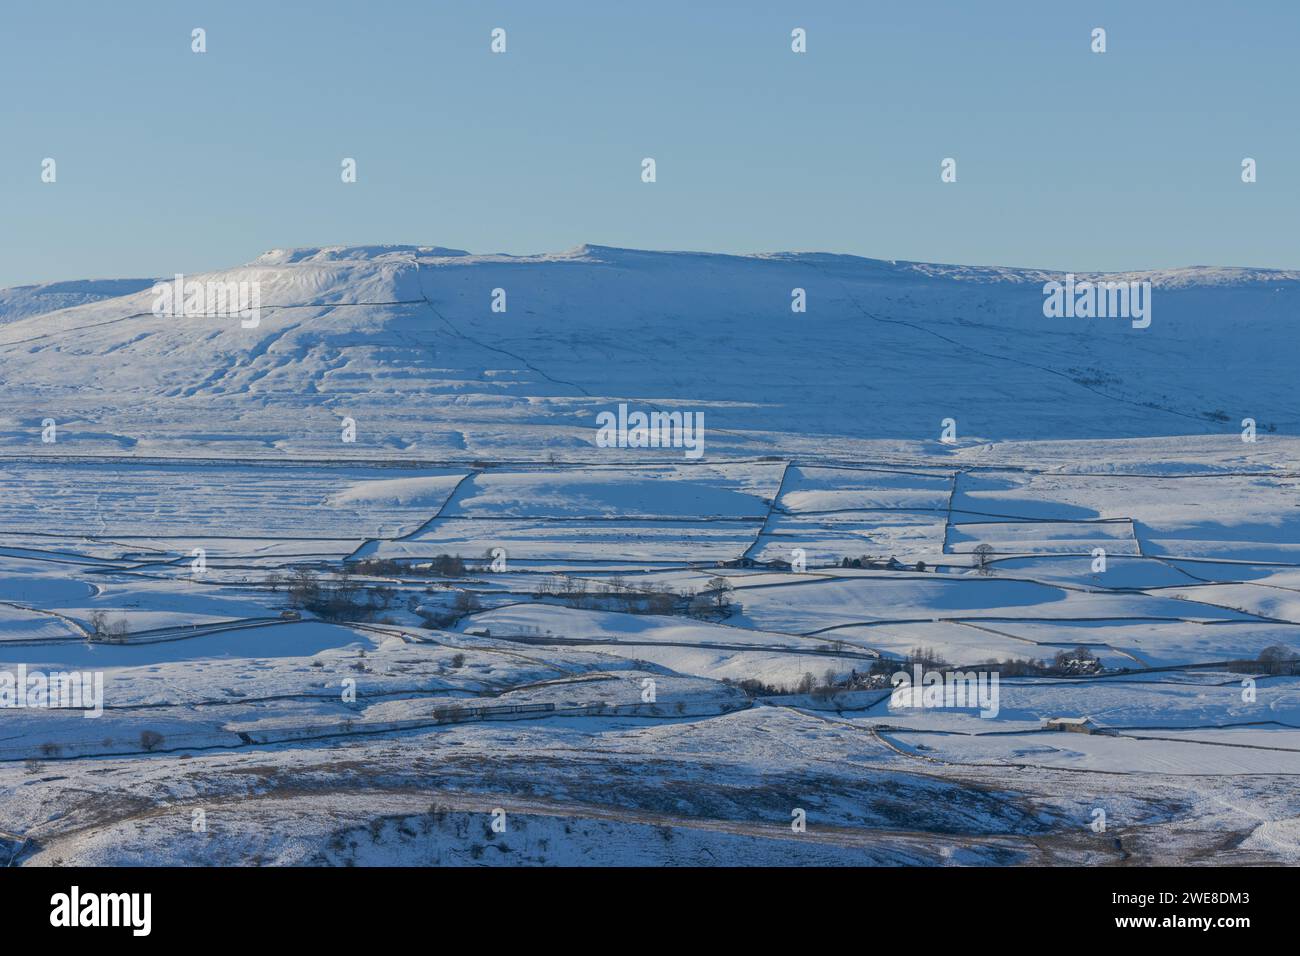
474,637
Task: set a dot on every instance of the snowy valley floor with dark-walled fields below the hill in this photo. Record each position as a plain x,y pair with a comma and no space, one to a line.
657,663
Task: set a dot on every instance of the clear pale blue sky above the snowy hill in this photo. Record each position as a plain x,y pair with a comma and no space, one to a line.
175,162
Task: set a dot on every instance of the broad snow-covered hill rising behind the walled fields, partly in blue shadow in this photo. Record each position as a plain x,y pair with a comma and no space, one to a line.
404,340
